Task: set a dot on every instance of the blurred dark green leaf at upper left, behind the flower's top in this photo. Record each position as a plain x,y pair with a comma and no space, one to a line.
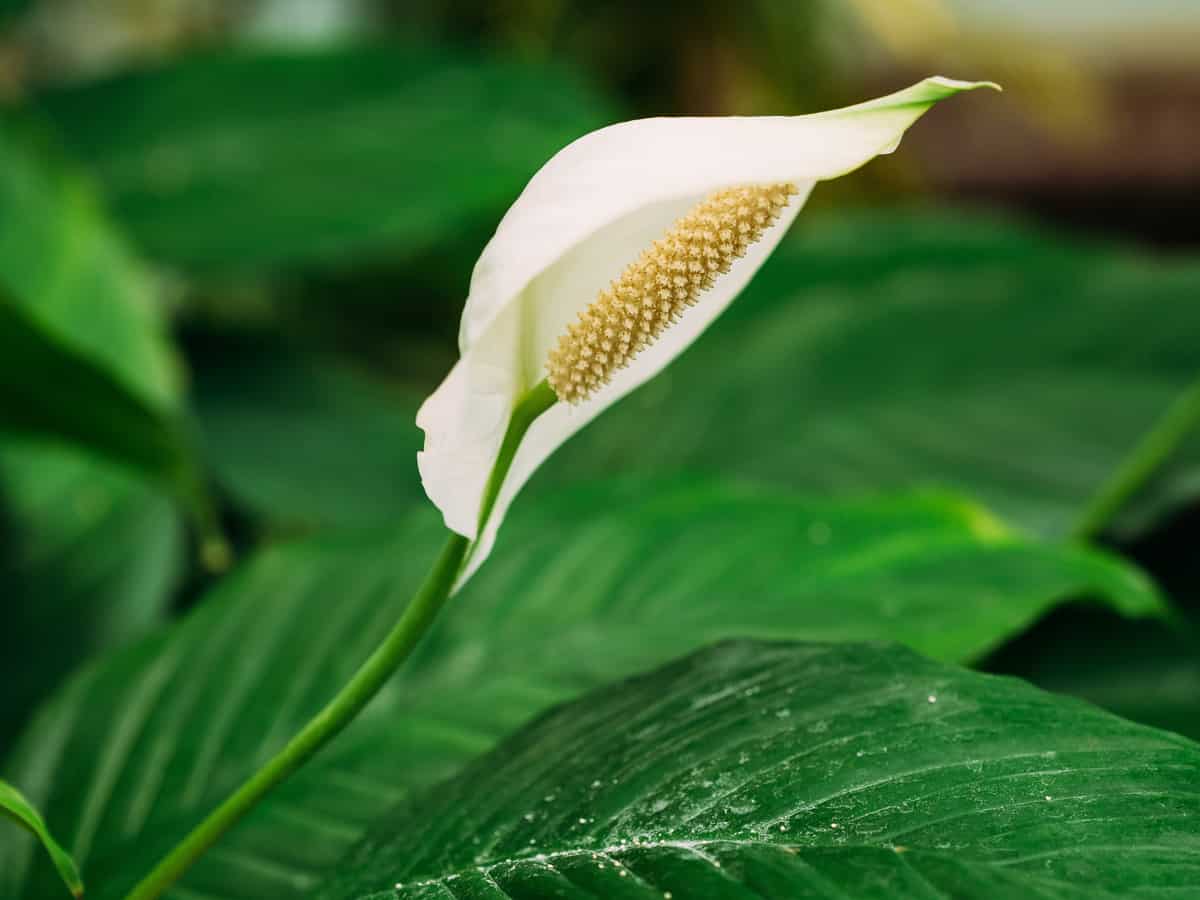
250,160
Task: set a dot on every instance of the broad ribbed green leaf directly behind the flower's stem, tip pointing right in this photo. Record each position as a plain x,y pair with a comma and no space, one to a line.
584,589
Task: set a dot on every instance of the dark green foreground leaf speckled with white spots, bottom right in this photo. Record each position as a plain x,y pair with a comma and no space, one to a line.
803,771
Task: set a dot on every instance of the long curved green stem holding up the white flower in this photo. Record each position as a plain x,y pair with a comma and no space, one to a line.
365,683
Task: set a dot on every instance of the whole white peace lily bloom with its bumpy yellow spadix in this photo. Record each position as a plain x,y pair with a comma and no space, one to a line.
615,259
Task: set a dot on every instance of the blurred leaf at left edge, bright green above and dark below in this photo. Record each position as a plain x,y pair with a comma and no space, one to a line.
85,358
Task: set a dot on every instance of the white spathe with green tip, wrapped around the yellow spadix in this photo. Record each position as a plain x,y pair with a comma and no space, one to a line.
581,220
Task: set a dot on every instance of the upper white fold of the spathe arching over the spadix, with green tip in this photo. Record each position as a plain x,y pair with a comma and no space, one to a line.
615,171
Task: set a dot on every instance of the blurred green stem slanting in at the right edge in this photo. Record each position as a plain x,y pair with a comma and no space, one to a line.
1142,464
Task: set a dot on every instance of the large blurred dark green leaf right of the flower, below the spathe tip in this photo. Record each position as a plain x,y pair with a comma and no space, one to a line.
878,352
